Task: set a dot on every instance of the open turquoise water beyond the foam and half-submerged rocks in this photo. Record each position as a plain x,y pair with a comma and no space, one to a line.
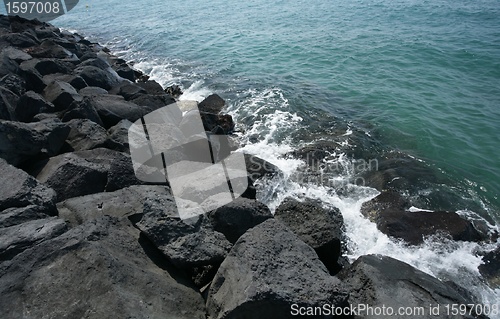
424,75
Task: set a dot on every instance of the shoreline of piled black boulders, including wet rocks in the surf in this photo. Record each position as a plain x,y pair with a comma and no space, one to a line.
82,237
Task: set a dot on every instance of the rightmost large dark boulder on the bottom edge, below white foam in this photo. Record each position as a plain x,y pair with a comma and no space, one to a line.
377,280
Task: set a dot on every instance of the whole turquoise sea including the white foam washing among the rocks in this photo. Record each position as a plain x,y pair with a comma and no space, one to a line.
371,79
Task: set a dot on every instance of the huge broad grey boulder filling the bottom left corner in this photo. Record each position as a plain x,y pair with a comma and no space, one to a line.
102,269
